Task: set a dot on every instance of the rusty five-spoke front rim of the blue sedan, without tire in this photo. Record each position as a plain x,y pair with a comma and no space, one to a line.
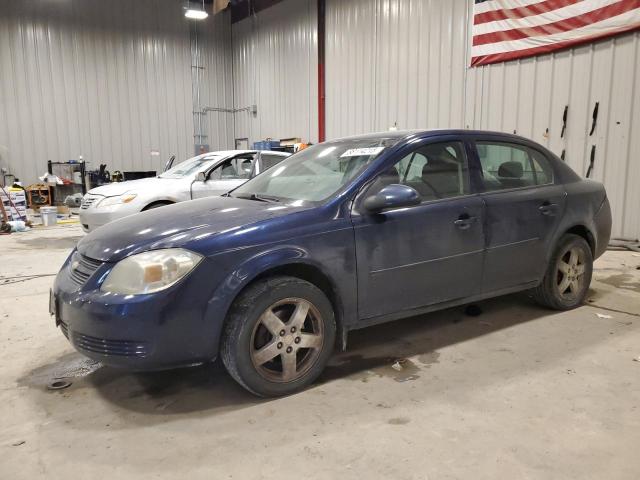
287,340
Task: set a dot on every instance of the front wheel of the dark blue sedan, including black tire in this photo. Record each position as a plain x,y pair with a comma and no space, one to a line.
278,336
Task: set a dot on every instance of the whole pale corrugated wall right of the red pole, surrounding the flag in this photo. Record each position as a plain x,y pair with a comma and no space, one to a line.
405,62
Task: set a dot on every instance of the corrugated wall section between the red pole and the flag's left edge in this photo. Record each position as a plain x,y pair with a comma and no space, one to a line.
394,62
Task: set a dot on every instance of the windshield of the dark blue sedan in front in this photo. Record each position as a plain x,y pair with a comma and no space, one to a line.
315,173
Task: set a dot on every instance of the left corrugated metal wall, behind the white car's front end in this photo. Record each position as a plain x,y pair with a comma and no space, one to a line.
107,80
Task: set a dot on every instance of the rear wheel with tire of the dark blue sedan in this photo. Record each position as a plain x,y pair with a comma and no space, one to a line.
567,279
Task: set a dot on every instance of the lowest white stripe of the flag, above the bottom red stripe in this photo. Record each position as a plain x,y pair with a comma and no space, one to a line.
611,24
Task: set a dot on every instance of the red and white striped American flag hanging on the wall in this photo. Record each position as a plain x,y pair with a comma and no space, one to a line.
508,29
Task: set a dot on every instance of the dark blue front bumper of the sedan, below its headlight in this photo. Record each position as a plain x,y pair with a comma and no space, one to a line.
138,332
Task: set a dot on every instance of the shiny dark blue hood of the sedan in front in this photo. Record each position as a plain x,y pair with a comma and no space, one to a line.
186,224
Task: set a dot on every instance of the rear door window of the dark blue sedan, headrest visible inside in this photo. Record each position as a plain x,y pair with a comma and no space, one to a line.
507,165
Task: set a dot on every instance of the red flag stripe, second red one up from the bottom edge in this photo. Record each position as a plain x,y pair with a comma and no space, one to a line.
563,25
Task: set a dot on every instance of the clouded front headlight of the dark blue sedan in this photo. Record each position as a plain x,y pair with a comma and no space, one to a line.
150,272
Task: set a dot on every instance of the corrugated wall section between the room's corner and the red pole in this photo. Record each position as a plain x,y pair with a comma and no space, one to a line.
275,68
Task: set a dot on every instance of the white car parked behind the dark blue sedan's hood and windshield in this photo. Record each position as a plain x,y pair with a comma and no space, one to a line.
212,173
